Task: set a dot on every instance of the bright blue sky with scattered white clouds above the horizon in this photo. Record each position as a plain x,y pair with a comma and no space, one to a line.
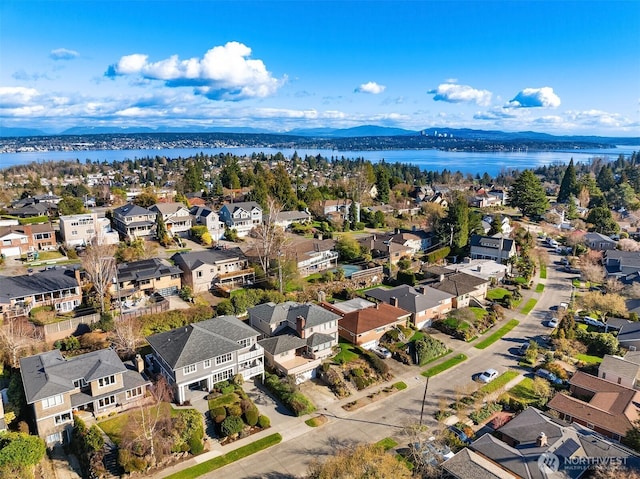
558,67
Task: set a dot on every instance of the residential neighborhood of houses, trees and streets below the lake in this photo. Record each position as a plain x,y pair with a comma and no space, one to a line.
468,332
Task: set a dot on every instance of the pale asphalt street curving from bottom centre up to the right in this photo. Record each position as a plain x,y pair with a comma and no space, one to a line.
385,418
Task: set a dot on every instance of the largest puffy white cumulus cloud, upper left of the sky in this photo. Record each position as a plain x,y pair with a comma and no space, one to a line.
224,73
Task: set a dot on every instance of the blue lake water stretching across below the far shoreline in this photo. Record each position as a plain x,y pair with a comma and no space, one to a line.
434,160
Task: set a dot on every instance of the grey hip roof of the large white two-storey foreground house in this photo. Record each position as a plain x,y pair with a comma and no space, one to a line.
199,341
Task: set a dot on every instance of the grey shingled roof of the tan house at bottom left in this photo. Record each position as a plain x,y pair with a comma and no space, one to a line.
48,374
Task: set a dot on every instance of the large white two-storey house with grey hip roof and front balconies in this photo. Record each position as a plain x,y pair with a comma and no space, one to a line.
202,354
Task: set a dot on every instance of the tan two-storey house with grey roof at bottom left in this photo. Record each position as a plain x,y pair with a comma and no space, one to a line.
97,382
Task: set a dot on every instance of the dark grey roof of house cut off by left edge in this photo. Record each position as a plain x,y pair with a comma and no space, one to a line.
40,282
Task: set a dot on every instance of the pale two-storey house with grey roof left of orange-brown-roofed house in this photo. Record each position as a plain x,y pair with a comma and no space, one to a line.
296,336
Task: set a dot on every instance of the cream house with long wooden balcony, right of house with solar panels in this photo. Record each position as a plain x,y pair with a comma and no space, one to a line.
214,268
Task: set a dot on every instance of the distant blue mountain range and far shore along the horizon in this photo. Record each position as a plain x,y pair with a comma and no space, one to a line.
356,132
